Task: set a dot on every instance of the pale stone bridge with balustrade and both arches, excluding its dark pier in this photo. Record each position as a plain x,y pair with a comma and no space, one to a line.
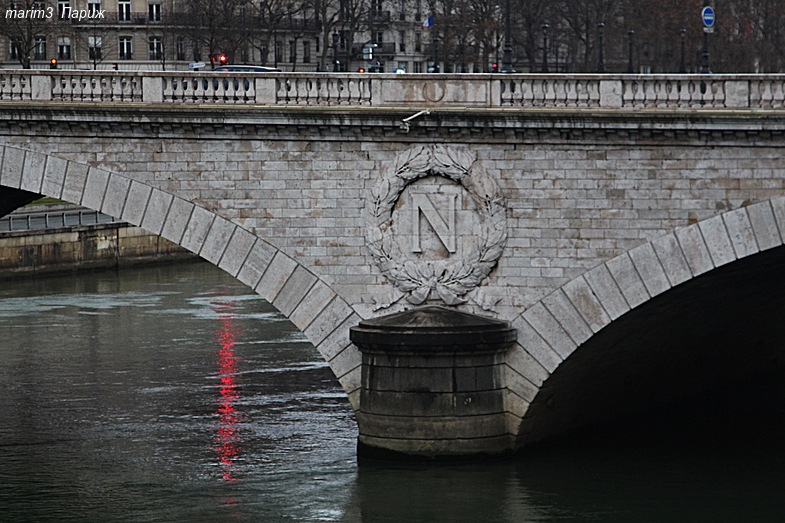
628,227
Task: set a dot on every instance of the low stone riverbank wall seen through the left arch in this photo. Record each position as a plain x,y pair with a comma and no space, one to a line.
83,247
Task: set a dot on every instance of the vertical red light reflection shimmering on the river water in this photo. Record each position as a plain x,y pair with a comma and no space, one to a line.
227,438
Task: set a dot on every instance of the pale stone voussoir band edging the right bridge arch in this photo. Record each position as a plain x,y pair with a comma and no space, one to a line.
551,329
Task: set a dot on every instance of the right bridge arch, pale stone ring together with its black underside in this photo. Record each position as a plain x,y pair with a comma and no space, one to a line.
724,264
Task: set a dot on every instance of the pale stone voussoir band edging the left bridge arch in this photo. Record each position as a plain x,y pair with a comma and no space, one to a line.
304,298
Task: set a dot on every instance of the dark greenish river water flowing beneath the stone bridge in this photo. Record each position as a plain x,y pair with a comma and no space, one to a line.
175,394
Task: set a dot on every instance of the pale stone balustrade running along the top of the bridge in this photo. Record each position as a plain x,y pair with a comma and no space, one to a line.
572,91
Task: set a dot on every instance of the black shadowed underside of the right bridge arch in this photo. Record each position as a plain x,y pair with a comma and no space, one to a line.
721,331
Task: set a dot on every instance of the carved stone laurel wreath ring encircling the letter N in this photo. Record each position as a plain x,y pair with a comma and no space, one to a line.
449,279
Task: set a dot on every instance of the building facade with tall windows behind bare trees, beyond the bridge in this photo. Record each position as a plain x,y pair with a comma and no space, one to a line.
383,35
